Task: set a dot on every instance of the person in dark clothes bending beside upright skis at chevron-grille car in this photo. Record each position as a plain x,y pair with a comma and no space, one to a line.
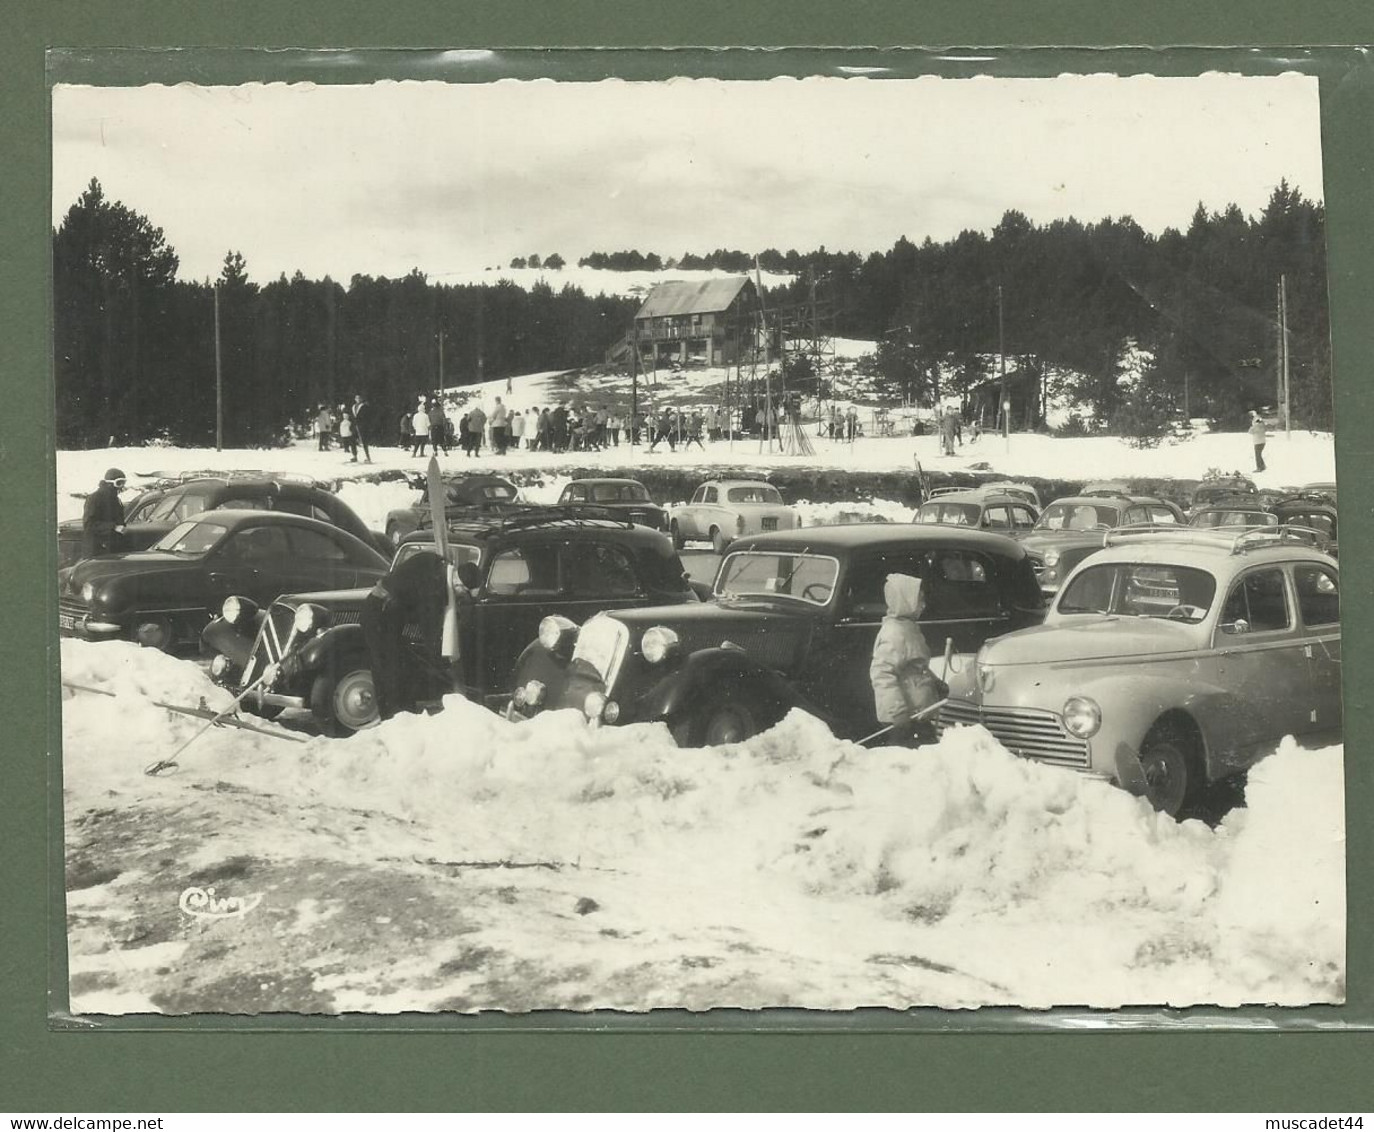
416,593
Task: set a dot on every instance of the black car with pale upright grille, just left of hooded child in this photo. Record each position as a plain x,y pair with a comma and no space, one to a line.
792,624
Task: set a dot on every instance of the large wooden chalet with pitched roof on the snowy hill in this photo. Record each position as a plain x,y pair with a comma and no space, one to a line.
711,321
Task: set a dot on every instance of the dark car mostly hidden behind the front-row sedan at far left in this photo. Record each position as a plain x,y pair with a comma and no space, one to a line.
153,514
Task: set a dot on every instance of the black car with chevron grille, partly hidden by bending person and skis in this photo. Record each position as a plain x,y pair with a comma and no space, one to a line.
523,568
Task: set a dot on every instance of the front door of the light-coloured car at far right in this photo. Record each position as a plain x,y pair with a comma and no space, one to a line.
1262,661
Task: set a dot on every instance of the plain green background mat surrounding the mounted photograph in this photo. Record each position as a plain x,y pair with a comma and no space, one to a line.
868,1061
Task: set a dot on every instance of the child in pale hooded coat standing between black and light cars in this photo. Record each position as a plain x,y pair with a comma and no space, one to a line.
903,685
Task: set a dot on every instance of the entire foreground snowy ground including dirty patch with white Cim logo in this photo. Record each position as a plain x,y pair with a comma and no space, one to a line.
464,863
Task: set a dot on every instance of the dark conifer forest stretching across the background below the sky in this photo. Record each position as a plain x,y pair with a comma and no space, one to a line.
135,356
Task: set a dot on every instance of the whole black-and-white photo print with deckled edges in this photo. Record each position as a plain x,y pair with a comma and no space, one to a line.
807,543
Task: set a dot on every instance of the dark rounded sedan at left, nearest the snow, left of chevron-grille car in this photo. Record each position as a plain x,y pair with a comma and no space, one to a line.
163,597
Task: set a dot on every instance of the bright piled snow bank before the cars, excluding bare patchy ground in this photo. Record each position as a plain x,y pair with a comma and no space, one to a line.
1012,881
